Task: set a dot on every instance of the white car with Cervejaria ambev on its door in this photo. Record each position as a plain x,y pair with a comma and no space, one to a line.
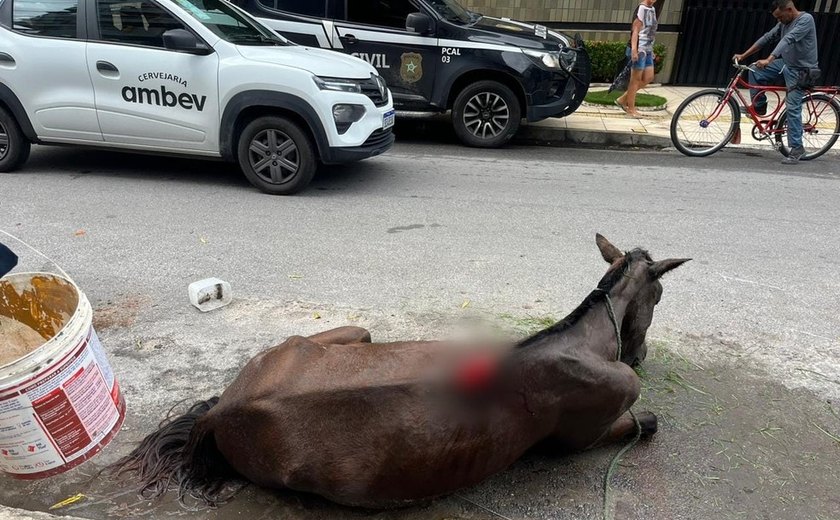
195,77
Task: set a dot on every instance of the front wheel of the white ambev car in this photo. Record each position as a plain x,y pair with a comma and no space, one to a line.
276,156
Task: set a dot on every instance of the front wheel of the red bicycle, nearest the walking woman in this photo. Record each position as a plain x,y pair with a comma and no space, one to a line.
701,126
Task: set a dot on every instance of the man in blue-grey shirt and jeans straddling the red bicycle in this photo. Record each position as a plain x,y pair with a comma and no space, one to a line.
792,63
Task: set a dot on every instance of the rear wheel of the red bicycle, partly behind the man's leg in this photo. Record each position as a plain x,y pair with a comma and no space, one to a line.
820,126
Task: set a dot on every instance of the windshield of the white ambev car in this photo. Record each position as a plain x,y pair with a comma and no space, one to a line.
228,23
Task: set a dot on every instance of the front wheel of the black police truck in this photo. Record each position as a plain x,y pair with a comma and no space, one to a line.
486,114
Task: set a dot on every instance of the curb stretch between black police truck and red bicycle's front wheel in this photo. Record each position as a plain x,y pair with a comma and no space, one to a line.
552,136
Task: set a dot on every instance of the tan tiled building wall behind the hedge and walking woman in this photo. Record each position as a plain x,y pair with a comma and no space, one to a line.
593,19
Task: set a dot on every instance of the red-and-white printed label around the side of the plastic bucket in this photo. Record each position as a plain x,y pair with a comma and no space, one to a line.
60,414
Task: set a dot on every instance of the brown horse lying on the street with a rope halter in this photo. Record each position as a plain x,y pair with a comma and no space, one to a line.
386,424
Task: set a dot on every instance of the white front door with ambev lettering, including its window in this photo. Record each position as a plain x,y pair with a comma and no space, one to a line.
147,95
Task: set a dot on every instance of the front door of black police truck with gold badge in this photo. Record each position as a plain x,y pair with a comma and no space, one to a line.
374,30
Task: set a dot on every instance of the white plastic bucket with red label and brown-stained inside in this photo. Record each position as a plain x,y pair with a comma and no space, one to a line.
60,403
